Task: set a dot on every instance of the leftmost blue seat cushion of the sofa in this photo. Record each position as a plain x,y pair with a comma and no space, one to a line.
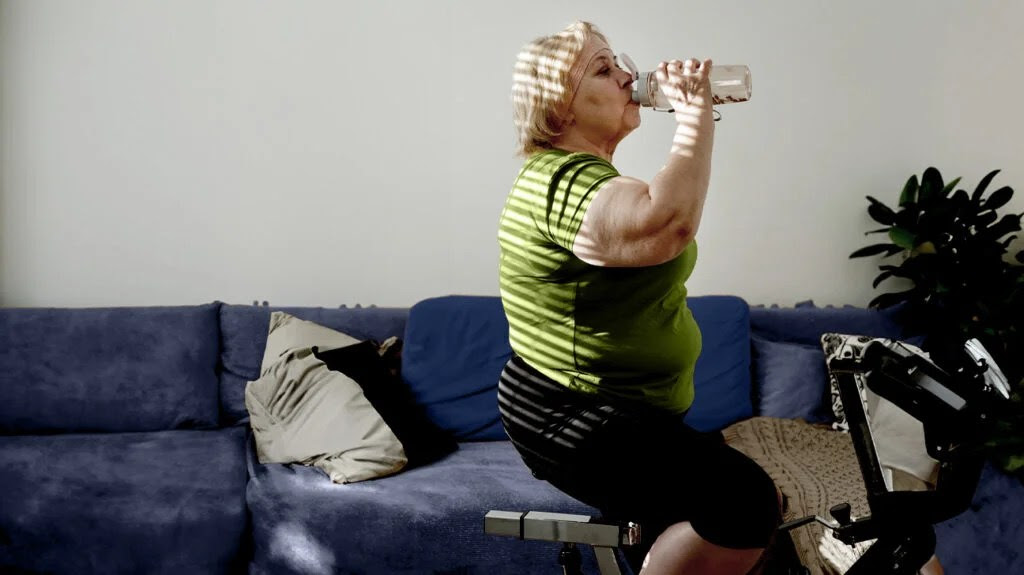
161,503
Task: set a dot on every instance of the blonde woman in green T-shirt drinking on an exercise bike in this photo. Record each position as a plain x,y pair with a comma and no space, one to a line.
593,272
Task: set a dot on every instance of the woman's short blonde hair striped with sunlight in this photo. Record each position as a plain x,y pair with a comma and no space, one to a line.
541,85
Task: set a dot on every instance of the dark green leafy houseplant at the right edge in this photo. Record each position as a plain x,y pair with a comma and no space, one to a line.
960,281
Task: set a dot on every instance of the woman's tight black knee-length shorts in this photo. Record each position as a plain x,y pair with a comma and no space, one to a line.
636,463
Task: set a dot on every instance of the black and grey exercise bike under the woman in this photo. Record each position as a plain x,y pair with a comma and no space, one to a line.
952,405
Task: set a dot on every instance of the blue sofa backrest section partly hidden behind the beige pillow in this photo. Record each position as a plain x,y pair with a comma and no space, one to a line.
244,331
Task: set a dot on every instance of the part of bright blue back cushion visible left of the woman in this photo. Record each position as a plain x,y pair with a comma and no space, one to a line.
456,347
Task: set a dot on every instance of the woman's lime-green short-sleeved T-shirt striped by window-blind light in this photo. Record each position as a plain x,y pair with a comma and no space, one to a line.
619,332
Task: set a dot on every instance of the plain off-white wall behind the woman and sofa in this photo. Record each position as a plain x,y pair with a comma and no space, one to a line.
315,153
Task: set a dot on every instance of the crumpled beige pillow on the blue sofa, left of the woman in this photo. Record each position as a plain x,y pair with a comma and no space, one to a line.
303,413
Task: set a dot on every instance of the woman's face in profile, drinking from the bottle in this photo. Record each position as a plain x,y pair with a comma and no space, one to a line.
604,108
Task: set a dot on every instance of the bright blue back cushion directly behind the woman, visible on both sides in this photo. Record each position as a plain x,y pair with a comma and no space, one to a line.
456,347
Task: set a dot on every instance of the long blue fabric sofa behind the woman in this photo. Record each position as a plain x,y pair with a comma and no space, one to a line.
125,447
